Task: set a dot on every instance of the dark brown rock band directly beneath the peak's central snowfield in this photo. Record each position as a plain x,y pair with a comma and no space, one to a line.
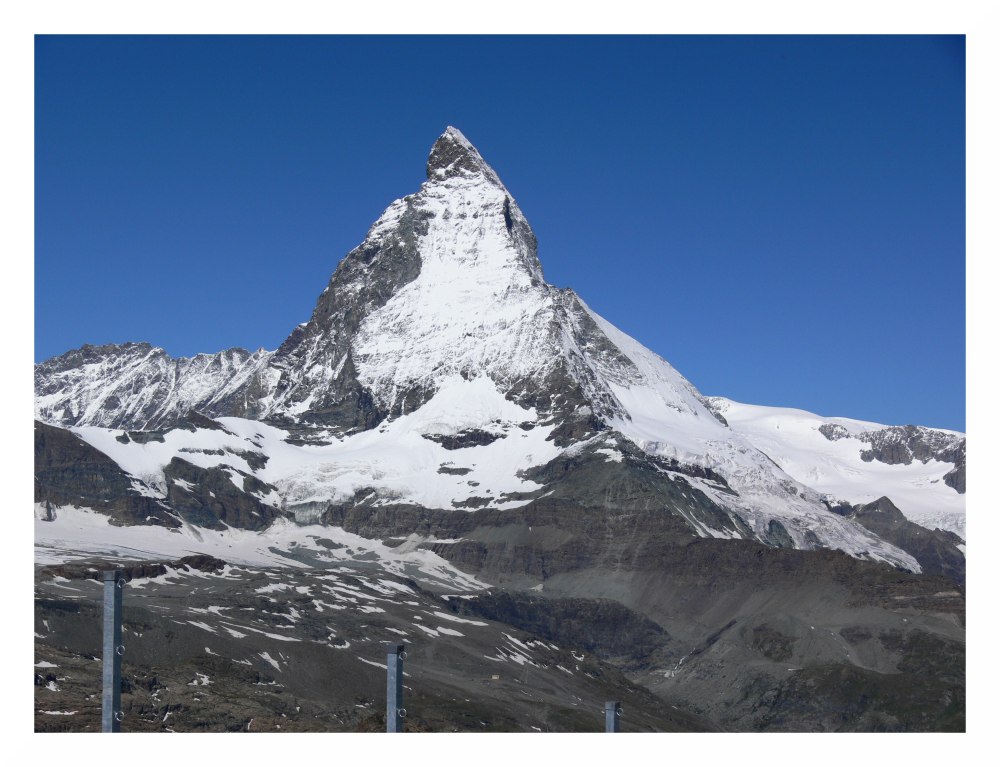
594,513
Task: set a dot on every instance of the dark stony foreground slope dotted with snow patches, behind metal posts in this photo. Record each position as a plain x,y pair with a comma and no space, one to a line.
212,647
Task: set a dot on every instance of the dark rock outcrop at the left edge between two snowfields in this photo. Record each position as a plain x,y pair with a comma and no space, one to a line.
69,472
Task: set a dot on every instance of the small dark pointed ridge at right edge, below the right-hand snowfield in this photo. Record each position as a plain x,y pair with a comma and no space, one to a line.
935,550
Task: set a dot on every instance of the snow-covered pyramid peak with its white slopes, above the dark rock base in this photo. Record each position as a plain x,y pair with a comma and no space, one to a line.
440,331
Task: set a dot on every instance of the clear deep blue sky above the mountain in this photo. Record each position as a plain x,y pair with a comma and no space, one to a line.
782,218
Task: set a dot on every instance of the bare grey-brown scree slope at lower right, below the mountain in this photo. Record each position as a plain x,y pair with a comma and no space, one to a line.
751,626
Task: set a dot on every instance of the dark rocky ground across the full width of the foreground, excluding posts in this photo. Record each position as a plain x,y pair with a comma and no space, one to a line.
214,647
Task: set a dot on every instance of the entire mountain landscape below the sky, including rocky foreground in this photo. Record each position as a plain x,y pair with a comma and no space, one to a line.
454,454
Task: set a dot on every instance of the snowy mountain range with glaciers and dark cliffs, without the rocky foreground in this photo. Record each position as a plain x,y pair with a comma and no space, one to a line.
449,415
